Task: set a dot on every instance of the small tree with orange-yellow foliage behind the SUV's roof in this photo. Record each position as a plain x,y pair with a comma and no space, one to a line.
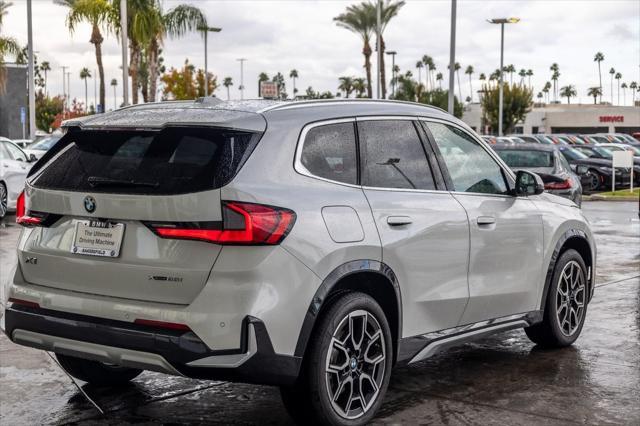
186,83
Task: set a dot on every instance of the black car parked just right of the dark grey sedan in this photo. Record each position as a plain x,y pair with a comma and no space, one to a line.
598,170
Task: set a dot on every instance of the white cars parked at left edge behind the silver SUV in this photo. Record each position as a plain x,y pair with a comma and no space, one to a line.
16,159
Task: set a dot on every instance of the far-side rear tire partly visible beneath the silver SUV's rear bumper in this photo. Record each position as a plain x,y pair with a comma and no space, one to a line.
97,373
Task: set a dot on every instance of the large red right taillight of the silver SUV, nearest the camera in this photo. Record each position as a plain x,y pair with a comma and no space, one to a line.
243,224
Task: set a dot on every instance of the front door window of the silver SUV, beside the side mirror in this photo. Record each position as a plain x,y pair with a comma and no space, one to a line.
471,168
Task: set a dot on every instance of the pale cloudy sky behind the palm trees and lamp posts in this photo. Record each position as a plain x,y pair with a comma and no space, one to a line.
282,35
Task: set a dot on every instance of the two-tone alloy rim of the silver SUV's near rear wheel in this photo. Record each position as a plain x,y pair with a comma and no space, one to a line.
355,364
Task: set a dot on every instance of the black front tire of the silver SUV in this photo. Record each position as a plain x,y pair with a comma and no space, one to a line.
549,333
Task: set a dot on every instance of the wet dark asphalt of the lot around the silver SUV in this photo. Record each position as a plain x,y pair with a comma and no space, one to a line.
504,379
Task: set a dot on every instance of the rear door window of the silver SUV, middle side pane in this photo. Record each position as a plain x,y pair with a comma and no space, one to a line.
392,156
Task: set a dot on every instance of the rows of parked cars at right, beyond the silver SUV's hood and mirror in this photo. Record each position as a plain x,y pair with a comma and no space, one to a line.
569,163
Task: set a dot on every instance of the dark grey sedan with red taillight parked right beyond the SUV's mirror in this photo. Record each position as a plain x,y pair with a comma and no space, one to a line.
548,163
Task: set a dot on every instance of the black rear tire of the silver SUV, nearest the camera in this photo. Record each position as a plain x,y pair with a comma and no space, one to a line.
309,401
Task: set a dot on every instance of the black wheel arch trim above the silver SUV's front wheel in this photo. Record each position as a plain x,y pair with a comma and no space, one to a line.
577,240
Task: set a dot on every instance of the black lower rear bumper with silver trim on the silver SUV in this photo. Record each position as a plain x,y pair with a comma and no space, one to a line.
139,346
